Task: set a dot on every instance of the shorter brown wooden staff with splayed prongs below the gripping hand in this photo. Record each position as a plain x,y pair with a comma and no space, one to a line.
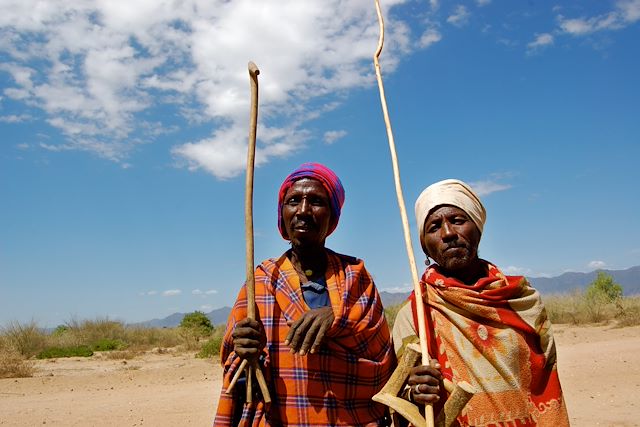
248,223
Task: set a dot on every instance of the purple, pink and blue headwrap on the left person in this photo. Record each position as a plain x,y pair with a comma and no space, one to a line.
330,182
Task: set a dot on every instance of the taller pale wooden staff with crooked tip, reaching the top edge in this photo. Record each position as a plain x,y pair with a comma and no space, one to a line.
403,212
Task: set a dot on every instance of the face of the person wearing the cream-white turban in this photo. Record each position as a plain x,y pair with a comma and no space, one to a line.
451,238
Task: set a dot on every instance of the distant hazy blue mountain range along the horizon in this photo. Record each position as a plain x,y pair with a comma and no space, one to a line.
565,283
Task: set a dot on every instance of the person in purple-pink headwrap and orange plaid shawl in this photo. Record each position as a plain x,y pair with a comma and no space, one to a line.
321,336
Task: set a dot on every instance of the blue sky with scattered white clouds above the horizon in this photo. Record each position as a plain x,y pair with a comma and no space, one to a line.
124,128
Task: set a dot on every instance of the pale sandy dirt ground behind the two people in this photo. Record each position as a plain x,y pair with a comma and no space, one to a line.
599,369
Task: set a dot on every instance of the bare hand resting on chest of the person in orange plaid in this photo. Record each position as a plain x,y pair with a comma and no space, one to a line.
308,332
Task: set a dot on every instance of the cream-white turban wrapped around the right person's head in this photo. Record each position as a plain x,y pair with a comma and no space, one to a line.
450,192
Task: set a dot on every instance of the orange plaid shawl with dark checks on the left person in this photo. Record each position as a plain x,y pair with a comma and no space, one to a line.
333,386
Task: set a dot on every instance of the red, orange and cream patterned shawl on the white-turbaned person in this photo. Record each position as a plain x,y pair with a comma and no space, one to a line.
496,336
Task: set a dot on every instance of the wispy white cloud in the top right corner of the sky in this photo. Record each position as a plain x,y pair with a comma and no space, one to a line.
625,13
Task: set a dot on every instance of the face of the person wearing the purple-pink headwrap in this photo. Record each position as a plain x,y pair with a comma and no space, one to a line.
306,213
